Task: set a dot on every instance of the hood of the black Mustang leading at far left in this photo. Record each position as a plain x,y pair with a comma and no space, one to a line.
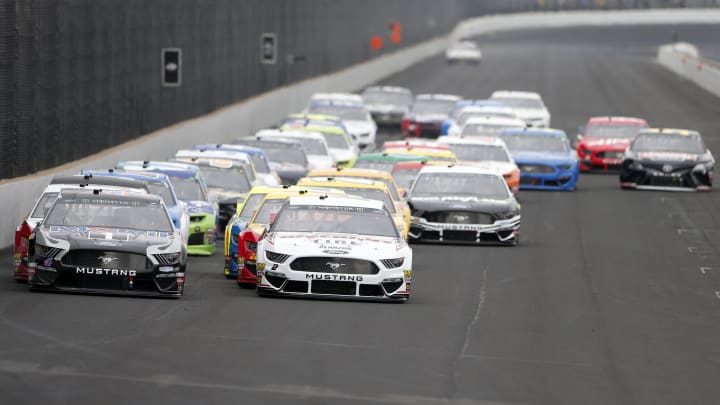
110,239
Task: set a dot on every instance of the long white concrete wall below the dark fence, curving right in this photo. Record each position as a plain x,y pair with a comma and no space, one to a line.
17,195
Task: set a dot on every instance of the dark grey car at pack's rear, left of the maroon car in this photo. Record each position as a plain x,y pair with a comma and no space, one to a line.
387,104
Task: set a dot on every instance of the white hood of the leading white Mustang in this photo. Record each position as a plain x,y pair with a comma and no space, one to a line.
334,244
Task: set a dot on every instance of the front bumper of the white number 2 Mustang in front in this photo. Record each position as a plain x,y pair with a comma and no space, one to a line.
387,285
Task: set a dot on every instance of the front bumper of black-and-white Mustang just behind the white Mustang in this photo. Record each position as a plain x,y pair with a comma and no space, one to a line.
505,231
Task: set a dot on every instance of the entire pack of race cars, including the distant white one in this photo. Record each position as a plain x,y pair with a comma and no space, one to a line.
317,208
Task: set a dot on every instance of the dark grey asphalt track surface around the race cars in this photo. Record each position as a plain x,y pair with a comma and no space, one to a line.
609,299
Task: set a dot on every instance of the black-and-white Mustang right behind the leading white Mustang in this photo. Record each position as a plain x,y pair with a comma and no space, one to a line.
460,204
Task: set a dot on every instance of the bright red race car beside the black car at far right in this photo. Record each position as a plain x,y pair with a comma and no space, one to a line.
601,143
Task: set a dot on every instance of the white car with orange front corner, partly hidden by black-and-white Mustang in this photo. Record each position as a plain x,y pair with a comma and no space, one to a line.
487,152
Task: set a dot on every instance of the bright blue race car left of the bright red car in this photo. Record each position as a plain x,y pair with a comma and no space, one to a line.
545,158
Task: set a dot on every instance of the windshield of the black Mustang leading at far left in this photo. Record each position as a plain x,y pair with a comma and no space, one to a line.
109,213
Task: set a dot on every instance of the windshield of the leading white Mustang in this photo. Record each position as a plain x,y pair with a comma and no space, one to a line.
351,220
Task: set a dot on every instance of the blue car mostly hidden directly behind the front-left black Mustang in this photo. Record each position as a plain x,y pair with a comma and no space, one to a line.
158,184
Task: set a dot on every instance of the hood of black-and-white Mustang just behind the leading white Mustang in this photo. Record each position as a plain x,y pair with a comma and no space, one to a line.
461,203
